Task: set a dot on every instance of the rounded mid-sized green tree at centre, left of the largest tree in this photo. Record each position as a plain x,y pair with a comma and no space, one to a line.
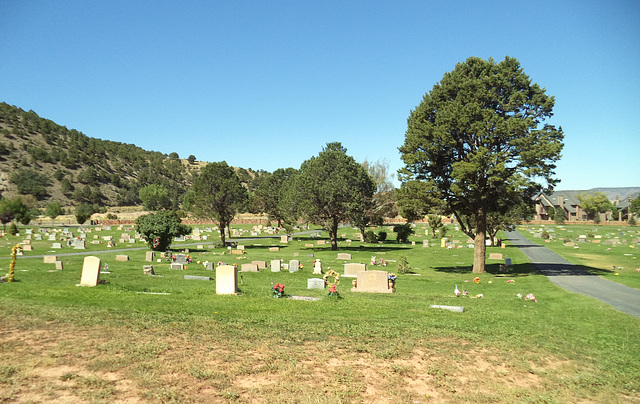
333,188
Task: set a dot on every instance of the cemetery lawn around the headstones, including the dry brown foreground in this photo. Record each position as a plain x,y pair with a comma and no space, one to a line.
137,338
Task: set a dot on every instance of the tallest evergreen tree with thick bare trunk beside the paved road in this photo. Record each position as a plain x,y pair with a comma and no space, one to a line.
480,135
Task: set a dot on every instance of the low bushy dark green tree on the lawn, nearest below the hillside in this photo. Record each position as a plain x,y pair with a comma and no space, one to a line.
158,229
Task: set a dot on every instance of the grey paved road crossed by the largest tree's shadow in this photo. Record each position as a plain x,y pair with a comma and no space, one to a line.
573,278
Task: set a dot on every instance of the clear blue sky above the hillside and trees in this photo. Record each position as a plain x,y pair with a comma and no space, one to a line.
266,84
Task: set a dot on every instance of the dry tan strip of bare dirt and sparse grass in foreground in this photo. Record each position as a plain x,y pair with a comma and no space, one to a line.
61,363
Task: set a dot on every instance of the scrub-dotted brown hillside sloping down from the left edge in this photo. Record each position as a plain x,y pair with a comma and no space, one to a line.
41,158
